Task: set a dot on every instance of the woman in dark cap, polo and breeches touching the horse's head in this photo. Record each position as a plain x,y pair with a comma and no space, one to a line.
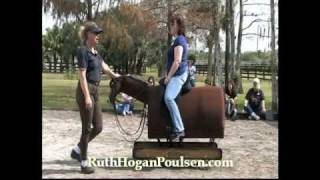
91,65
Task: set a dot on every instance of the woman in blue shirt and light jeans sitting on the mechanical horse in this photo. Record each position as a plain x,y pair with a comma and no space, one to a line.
177,73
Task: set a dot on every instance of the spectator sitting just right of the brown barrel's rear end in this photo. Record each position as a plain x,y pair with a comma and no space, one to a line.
231,97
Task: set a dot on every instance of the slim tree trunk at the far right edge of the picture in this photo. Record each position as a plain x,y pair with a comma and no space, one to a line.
273,61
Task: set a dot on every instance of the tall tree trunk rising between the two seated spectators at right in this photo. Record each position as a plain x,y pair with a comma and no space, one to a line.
238,56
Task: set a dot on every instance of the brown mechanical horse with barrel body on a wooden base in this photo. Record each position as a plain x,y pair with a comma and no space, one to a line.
202,110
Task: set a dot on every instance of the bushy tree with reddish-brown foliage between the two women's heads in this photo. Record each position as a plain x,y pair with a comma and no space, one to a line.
129,32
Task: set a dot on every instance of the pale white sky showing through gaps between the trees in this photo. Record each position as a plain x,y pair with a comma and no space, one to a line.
249,43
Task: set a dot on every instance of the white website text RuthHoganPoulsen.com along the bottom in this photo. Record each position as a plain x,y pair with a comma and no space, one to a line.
157,162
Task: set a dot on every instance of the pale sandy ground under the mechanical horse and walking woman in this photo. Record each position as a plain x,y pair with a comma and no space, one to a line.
252,145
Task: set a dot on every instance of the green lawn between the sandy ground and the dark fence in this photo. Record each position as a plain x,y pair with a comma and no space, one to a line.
58,91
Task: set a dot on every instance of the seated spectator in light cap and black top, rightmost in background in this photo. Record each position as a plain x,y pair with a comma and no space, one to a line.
254,104
